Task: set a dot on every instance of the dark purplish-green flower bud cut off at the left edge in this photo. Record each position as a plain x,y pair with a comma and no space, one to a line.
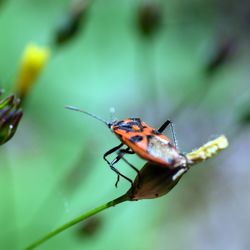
10,115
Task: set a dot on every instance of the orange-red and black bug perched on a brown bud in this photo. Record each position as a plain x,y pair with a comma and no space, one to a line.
141,139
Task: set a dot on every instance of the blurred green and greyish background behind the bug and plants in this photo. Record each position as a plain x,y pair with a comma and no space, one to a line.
192,67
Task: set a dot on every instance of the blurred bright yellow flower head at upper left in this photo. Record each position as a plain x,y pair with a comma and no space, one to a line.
33,61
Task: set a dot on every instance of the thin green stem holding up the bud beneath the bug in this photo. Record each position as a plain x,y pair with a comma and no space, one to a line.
77,220
